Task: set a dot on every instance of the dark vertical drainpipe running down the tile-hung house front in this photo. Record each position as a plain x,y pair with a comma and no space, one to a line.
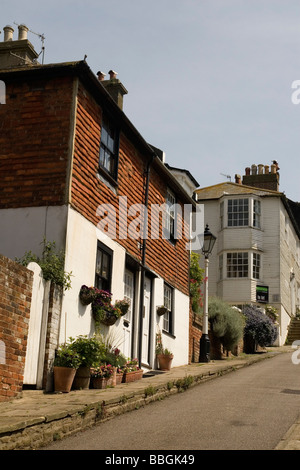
144,247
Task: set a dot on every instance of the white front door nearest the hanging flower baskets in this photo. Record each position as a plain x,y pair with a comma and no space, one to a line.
127,319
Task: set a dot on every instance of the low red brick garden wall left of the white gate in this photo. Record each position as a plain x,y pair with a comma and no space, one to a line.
15,301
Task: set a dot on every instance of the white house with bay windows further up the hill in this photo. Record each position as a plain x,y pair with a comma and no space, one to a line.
256,258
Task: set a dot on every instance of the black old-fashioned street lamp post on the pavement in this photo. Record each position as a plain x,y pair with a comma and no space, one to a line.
208,244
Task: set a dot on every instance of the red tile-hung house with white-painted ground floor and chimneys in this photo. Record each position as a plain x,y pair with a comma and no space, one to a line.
76,171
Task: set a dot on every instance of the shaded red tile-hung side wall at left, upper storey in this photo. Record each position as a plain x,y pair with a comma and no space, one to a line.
34,141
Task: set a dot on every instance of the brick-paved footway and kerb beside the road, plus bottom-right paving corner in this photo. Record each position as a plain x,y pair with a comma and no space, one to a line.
37,418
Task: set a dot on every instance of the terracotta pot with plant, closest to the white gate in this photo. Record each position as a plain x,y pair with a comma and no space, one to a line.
65,365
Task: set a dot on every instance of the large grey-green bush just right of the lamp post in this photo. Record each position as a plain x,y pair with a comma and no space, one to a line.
227,323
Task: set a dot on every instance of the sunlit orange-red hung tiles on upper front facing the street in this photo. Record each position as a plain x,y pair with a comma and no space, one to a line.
88,191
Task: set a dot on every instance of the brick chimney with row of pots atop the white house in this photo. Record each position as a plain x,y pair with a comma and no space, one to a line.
260,176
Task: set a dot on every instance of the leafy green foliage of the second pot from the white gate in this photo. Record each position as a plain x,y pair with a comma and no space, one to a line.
89,349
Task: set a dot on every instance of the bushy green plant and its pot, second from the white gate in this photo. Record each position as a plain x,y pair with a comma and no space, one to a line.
89,350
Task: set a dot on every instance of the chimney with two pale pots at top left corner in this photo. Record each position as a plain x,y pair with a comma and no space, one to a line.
15,53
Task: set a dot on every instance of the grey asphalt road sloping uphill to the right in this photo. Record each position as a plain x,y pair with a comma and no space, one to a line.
250,409
